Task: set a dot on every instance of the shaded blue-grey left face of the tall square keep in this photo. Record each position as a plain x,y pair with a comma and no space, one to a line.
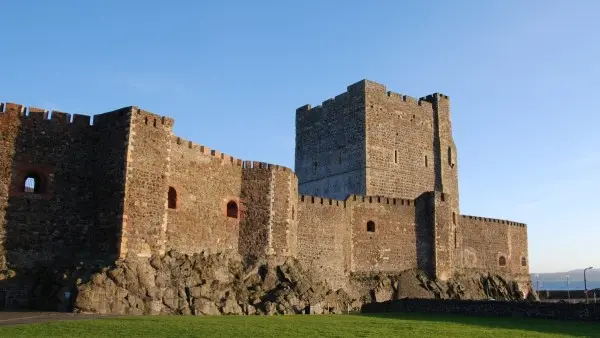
330,146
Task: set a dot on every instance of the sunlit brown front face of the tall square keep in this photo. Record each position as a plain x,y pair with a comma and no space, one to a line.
399,144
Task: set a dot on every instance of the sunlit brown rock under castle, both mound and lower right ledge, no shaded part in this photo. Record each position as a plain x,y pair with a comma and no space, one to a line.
221,284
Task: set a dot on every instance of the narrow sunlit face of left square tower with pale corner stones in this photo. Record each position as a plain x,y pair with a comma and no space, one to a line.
148,158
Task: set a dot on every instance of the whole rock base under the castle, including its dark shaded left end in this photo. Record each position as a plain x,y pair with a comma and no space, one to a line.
222,284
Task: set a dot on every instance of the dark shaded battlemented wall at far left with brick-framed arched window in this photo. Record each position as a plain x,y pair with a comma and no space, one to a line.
54,220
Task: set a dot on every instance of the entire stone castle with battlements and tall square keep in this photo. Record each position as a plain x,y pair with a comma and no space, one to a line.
375,190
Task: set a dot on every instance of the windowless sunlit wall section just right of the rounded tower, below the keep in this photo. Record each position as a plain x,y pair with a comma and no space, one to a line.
323,243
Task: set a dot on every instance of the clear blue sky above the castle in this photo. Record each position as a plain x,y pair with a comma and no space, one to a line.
522,77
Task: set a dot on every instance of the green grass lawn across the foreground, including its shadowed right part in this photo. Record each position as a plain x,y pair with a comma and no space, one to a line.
387,325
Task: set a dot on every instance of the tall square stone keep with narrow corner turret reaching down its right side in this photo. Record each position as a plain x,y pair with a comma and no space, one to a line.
373,142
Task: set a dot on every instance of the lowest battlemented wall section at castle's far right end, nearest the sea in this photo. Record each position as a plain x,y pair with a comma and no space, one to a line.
485,240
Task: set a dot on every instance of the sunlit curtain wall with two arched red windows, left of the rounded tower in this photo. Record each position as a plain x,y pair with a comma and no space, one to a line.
204,185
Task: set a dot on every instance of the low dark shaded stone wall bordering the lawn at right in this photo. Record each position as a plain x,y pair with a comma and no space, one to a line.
562,311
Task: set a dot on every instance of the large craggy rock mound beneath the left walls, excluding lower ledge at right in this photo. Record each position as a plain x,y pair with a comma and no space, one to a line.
203,284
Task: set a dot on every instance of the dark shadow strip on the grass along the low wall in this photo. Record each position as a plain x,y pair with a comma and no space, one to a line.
551,326
